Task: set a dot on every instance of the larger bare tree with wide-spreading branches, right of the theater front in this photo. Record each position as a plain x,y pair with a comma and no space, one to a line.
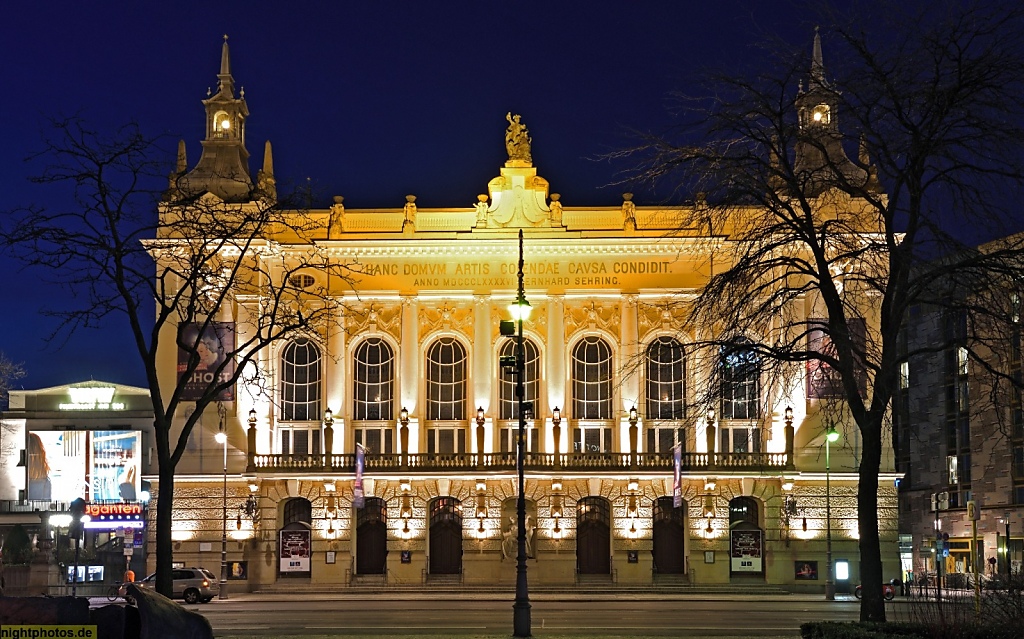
839,192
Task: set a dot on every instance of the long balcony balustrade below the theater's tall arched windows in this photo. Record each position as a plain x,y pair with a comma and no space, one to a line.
538,462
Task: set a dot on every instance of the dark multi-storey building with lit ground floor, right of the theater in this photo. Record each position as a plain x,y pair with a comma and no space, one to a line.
961,447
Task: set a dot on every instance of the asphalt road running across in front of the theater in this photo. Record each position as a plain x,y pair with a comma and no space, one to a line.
552,615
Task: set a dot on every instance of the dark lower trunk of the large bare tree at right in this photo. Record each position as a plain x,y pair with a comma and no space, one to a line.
873,606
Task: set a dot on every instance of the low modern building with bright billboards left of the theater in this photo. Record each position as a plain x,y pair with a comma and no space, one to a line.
92,441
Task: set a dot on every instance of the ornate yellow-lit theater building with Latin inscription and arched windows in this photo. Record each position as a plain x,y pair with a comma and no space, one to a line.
386,450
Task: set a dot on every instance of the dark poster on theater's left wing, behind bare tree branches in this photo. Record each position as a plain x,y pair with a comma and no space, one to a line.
215,349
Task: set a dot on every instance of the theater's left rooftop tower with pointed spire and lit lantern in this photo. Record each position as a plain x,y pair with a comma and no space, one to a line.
224,167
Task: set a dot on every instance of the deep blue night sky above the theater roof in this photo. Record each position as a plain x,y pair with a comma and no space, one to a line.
371,101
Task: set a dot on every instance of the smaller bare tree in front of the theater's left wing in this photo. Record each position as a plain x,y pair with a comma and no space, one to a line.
125,245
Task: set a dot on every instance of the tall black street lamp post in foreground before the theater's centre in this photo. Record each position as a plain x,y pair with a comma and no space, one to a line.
521,610
